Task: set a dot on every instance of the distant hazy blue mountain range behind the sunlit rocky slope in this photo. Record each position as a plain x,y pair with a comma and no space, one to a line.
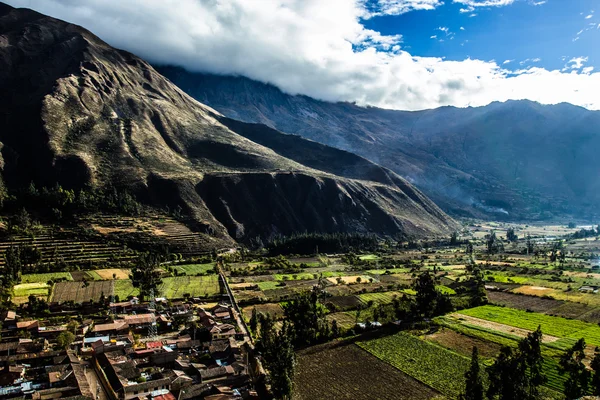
515,160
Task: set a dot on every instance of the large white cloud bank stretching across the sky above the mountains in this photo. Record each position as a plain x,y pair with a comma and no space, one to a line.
313,47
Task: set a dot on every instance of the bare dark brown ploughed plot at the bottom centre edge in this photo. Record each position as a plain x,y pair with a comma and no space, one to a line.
350,373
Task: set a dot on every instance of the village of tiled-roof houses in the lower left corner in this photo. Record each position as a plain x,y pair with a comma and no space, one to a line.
138,352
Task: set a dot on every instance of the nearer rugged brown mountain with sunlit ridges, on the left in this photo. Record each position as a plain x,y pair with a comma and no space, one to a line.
78,112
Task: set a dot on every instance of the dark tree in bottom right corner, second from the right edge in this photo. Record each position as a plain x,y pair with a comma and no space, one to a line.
571,363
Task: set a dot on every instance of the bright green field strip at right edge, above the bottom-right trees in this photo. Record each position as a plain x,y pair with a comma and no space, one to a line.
553,326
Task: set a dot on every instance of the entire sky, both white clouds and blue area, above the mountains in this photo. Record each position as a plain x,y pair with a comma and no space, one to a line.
371,52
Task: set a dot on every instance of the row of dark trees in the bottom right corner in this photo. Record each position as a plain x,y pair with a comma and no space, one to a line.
517,374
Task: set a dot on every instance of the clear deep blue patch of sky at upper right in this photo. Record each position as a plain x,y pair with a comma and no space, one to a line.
520,31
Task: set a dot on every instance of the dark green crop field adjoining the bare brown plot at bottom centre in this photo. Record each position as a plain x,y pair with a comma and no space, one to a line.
436,366
